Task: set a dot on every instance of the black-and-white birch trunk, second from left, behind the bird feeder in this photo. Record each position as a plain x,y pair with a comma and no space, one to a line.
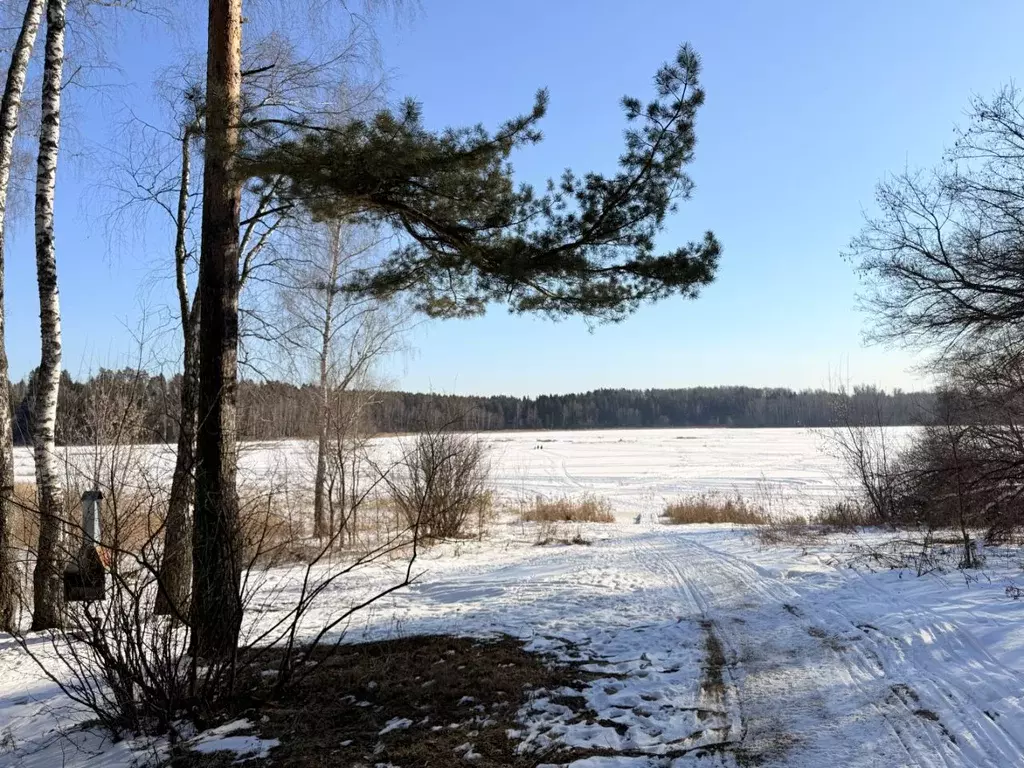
49,576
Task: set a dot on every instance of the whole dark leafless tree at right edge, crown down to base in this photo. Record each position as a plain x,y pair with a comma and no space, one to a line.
945,261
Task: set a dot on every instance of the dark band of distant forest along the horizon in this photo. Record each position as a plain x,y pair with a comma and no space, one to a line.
273,410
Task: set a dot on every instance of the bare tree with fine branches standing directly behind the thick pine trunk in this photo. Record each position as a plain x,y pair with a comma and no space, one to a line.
278,82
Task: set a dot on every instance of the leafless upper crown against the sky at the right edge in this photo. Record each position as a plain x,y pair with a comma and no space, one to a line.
944,255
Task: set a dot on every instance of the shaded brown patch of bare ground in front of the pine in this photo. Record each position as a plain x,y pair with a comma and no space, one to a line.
425,701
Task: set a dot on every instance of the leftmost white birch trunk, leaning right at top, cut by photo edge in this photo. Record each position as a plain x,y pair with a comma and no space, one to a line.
10,110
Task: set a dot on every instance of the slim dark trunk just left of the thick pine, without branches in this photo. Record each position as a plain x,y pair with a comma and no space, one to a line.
176,568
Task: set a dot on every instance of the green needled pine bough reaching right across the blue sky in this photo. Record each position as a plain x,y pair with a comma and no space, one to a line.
585,247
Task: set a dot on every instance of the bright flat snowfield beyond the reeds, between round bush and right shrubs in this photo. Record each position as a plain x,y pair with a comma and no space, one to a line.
641,471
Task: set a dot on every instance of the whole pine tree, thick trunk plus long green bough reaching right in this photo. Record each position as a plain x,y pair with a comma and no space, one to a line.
585,247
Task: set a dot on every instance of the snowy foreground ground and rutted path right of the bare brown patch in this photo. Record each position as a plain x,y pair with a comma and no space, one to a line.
824,666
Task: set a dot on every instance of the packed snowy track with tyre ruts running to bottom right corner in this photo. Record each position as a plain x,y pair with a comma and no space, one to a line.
903,703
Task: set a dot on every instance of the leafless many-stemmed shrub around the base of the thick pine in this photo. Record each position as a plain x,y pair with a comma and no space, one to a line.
136,672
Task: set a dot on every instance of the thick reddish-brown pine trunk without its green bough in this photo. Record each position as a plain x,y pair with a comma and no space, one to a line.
217,600
